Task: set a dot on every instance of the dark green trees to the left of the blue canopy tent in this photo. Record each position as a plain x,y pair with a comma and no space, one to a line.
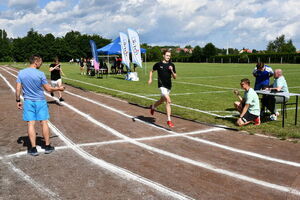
71,46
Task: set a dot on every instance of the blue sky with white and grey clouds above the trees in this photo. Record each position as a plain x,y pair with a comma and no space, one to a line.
226,23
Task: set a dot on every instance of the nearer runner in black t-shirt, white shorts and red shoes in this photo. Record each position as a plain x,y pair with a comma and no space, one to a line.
165,70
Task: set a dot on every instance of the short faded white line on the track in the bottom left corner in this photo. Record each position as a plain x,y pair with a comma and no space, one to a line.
43,190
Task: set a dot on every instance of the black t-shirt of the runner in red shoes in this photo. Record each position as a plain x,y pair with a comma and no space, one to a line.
164,74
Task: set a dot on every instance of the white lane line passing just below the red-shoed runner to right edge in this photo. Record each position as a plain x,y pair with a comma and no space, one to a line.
295,164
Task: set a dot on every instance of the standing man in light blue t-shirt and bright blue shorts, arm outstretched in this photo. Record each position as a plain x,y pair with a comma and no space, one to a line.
32,82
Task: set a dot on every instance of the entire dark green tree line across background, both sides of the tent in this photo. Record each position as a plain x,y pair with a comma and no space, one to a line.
76,45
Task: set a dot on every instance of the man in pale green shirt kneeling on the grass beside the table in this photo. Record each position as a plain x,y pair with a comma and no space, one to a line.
248,106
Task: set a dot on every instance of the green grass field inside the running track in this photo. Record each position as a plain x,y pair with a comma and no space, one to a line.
206,87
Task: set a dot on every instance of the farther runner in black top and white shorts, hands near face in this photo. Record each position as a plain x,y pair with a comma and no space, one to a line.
56,72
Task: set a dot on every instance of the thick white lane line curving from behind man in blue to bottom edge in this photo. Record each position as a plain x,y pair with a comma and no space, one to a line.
126,174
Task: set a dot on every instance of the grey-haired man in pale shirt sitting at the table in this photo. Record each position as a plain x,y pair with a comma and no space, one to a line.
270,101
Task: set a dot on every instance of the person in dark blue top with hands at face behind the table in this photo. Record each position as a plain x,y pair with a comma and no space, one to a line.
262,74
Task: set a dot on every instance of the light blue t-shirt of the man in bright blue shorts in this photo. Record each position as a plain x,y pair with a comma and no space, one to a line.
32,81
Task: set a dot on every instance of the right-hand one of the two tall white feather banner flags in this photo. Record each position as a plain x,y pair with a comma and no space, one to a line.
135,47
